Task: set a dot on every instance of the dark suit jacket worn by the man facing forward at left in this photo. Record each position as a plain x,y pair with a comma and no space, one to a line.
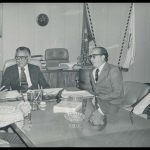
11,77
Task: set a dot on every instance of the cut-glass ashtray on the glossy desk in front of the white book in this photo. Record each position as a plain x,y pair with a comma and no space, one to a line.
74,116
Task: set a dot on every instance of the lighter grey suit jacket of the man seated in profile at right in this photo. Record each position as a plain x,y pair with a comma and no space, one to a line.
109,88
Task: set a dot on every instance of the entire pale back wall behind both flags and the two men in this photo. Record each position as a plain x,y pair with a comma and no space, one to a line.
65,27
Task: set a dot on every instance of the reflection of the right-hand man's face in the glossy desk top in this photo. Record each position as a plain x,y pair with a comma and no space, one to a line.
97,118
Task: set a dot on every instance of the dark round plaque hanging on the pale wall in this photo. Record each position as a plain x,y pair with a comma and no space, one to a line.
42,19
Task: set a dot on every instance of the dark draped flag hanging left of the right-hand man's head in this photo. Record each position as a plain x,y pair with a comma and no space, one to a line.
87,37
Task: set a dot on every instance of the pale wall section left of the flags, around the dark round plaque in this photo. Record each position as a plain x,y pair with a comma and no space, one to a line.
20,27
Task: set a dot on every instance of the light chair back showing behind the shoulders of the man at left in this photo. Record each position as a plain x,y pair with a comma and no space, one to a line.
11,62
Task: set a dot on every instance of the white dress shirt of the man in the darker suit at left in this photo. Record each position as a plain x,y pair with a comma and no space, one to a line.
27,74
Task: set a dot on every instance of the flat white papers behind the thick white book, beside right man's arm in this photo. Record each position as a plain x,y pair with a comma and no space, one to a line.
84,93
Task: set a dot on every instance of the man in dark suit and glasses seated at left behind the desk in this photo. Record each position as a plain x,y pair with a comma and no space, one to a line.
23,76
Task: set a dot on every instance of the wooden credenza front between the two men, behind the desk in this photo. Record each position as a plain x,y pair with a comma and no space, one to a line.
61,78
